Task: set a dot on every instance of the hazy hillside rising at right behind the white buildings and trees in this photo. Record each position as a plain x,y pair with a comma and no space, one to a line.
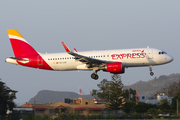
152,86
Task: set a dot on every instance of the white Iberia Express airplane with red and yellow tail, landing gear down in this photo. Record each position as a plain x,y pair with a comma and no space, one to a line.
113,61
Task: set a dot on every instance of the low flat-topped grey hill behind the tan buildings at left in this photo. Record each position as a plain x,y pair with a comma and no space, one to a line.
46,96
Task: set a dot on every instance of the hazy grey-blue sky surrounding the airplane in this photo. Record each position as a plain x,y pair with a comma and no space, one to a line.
86,25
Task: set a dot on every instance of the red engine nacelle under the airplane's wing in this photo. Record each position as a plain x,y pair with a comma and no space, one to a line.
115,68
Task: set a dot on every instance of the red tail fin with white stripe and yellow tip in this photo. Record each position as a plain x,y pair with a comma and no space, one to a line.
20,46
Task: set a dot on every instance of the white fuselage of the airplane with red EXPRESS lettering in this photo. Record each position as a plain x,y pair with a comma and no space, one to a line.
129,57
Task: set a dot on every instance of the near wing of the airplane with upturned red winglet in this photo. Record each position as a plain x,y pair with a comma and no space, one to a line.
92,62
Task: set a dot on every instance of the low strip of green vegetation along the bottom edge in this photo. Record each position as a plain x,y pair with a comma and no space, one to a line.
64,116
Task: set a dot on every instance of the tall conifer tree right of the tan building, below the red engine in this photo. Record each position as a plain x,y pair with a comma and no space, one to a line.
111,92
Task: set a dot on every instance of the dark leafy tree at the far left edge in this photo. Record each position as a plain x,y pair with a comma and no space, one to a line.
6,98
